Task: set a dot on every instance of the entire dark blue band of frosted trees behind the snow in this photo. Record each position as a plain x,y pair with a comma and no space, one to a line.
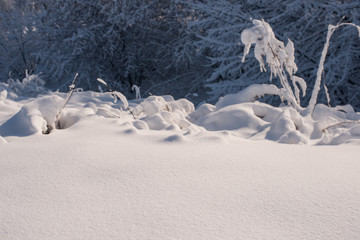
188,48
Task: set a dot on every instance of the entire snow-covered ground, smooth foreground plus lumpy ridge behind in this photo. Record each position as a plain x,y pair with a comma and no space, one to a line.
217,172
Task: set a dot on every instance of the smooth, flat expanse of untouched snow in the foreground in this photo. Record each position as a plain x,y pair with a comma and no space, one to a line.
94,181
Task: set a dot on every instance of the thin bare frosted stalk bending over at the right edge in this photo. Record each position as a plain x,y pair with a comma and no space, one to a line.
315,92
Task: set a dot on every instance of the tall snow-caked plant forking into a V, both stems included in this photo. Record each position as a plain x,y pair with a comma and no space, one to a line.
281,61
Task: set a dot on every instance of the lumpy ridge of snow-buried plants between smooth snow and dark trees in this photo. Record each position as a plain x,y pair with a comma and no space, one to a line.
239,115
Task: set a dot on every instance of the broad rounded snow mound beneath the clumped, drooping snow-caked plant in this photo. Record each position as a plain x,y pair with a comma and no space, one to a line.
284,125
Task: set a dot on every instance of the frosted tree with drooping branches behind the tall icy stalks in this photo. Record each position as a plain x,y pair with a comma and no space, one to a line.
219,24
